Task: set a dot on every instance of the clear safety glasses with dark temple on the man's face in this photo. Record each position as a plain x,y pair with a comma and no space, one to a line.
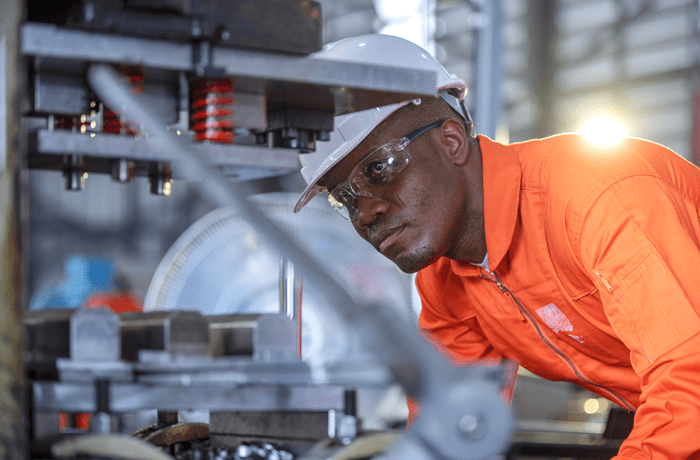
373,173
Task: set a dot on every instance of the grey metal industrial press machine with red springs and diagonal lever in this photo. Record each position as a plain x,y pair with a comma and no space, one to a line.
217,93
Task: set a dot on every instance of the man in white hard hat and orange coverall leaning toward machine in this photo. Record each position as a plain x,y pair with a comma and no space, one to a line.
580,262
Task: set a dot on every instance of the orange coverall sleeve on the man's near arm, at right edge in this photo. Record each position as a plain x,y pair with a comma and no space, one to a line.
639,242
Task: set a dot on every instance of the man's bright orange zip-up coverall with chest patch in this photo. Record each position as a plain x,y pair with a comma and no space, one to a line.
594,278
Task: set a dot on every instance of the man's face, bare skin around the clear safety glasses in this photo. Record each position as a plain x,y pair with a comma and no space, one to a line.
417,218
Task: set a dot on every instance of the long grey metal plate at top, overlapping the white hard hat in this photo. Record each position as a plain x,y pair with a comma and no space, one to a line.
353,86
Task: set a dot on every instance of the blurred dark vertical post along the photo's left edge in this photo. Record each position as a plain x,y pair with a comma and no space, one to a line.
13,285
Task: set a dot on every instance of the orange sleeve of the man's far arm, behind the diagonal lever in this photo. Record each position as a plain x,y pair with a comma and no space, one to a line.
458,339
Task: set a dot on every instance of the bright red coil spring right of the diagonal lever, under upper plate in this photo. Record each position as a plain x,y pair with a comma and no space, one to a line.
212,110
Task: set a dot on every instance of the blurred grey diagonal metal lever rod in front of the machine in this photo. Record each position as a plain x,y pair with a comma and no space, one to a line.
411,359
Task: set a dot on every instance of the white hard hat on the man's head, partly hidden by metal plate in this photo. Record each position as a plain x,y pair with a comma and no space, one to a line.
351,129
